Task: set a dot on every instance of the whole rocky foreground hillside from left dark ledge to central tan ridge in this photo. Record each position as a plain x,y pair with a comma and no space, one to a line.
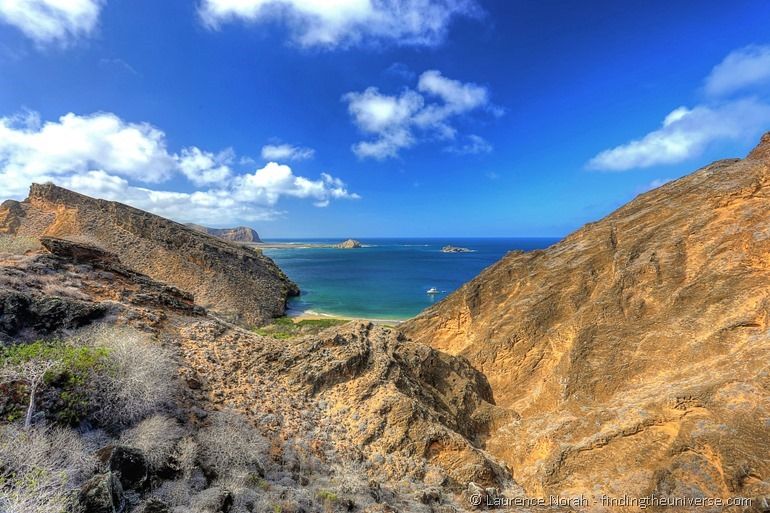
354,418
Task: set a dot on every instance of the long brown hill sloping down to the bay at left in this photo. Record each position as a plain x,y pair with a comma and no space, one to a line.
236,282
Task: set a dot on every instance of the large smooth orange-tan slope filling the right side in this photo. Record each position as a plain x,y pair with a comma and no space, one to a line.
636,351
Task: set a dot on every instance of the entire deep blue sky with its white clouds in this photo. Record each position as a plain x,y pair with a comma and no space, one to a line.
377,118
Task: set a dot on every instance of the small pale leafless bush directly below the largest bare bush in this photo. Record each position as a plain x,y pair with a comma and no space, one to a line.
156,437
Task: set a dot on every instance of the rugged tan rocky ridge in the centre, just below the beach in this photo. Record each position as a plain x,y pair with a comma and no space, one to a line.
397,404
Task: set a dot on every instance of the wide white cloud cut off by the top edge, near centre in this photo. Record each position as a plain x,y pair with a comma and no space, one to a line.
343,22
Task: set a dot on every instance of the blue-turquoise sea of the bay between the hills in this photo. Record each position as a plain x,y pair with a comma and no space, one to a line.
388,278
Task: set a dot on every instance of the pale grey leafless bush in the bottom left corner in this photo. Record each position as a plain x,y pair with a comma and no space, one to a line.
40,469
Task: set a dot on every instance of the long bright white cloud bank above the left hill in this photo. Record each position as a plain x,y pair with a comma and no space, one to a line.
104,156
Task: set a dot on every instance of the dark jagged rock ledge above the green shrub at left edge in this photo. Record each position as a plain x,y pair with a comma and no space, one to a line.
71,285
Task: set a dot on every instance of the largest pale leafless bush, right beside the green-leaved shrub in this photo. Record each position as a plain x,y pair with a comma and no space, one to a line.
140,378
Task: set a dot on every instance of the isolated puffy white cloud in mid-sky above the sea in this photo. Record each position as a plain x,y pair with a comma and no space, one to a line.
396,121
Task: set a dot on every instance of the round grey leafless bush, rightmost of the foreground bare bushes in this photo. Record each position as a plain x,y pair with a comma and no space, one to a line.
230,445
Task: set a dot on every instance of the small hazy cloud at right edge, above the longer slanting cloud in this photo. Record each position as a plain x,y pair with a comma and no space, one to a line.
744,68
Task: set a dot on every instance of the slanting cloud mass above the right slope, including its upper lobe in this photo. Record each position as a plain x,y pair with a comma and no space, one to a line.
686,132
